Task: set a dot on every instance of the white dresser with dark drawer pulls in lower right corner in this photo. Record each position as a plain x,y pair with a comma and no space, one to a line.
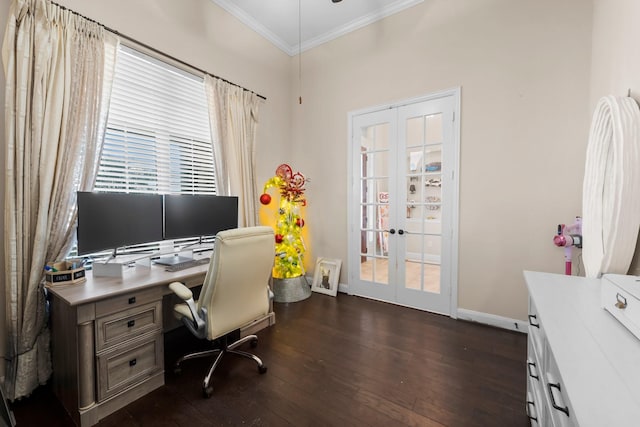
583,366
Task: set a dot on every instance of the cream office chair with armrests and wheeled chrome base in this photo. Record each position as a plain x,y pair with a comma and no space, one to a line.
235,295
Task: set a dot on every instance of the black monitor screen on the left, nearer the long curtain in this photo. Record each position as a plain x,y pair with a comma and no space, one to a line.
112,220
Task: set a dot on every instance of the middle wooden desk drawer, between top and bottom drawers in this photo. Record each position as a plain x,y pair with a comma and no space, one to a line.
125,325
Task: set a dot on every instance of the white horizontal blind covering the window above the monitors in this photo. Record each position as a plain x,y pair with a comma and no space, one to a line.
158,137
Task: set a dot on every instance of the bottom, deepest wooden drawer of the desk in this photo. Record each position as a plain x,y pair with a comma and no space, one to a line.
126,366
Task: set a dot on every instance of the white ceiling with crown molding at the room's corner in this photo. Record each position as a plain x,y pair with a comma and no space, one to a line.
322,20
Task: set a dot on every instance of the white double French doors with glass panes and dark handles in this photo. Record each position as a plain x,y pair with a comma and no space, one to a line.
403,209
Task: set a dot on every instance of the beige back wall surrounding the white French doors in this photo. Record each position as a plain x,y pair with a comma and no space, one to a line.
523,67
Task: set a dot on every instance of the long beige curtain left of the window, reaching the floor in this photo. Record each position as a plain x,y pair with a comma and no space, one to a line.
55,110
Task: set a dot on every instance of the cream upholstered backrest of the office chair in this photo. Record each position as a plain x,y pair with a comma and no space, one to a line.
235,290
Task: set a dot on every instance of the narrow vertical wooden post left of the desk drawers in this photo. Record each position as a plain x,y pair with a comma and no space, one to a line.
86,365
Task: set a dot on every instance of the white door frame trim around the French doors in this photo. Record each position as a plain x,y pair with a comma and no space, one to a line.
352,185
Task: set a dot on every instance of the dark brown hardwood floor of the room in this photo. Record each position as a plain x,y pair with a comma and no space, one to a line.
344,361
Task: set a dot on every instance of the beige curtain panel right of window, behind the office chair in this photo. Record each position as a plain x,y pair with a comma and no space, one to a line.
233,115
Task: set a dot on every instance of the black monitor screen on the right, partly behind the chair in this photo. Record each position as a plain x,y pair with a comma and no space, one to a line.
191,215
